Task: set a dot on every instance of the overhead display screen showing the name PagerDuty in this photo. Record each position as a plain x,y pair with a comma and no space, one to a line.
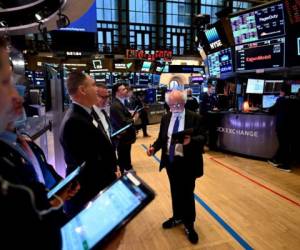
258,24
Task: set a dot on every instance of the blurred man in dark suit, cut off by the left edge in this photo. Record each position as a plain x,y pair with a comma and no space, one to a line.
23,199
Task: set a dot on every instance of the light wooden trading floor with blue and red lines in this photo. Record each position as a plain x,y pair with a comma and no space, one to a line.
241,204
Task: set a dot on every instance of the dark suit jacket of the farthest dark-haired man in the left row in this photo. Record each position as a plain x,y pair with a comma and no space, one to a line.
120,117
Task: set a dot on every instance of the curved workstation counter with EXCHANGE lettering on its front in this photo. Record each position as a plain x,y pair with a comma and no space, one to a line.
250,134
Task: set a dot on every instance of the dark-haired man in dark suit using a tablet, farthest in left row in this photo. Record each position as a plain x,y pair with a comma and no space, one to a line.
120,117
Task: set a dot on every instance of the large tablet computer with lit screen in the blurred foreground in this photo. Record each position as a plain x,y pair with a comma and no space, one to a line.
105,214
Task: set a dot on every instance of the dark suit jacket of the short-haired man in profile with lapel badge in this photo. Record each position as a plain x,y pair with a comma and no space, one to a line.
82,142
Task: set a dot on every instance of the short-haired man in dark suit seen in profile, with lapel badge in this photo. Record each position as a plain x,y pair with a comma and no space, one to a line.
84,140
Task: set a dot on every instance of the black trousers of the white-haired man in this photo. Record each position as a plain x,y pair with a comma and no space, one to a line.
182,185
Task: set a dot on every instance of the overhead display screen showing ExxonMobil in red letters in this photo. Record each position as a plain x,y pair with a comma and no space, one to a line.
260,55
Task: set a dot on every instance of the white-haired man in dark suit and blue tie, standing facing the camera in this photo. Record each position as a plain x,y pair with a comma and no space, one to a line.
183,161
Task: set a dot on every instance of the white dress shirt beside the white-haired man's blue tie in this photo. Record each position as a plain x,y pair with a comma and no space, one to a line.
178,146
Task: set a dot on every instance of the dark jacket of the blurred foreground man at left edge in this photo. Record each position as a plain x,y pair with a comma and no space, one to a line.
16,211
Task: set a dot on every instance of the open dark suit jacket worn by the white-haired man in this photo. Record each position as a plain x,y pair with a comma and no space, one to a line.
193,151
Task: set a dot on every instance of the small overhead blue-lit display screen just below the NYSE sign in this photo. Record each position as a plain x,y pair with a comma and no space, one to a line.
220,63
